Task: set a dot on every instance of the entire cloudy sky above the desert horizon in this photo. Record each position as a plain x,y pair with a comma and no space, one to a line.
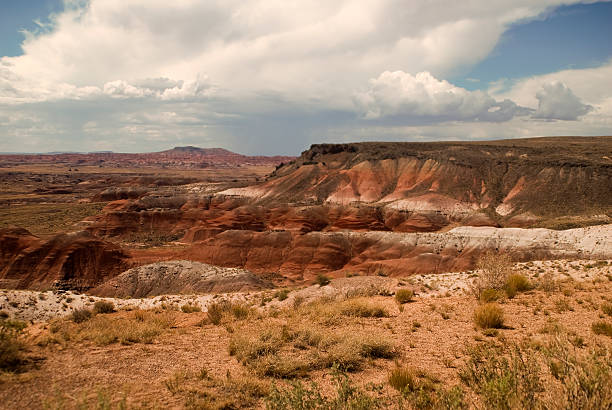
270,77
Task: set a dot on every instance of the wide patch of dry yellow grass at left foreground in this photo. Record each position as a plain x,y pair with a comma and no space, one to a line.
136,327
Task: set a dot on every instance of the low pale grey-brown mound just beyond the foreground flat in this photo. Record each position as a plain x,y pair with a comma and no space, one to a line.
180,277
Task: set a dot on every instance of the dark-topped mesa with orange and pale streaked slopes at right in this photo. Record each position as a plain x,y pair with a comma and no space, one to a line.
525,178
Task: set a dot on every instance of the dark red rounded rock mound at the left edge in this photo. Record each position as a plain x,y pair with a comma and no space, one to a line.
68,261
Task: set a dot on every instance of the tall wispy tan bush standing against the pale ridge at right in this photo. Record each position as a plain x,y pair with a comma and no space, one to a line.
494,270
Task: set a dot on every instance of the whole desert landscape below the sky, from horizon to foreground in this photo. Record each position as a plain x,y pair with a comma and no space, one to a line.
358,275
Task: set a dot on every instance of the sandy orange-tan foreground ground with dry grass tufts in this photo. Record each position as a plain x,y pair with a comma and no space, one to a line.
164,352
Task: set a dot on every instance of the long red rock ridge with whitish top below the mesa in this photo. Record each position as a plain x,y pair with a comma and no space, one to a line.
300,257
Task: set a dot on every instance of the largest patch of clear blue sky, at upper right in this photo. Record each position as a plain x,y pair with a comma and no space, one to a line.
577,36
